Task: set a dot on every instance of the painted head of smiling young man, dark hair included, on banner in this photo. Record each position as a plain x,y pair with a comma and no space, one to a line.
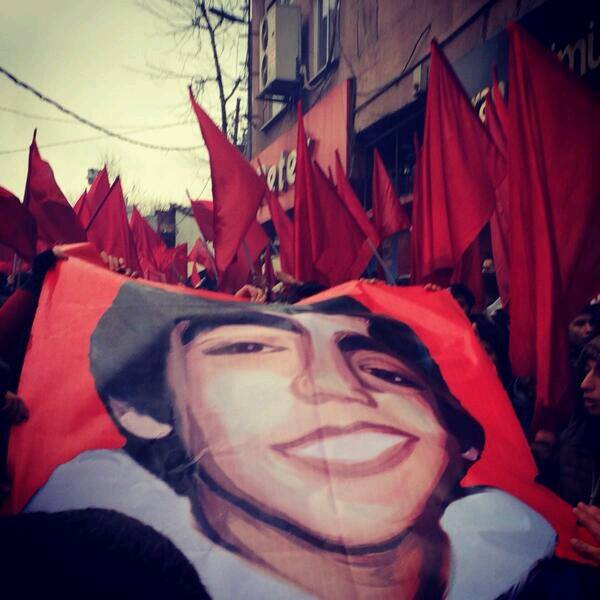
337,394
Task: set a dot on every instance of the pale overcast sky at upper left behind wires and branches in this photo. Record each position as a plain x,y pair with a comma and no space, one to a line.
86,55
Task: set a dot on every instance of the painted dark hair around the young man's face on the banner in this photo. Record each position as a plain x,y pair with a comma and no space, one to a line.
131,342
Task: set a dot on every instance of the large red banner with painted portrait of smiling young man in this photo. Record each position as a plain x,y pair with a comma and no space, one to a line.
356,445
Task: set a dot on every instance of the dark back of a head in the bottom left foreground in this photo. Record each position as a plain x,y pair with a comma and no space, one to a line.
92,554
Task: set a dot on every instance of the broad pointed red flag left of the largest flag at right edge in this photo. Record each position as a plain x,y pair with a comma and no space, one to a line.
460,169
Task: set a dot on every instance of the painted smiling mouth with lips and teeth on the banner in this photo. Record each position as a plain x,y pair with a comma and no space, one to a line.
356,451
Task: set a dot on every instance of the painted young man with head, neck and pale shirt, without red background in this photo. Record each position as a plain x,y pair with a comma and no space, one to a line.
308,451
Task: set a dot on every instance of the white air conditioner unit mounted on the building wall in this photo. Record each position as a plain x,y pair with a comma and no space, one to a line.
279,50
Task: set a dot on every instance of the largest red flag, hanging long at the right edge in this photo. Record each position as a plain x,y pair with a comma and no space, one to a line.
554,217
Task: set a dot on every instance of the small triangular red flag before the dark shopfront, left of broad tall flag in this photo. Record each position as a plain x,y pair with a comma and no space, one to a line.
389,215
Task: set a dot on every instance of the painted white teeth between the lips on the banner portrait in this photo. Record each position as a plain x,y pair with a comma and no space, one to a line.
350,447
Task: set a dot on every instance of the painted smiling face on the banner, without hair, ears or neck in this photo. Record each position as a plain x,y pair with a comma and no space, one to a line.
312,424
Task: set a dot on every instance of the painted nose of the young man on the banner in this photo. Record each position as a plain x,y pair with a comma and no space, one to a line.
327,378
